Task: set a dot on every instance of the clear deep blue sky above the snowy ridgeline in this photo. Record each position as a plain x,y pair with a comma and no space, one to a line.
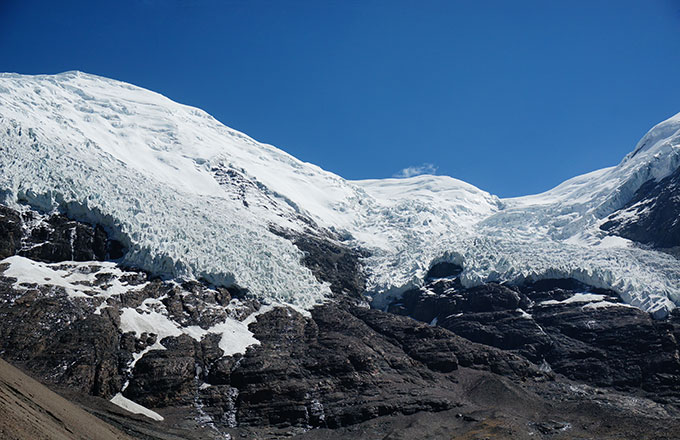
513,97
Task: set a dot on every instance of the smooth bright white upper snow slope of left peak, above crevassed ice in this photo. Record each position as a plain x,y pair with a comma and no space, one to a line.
146,131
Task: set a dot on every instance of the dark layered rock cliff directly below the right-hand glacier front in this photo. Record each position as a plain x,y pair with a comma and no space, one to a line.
600,342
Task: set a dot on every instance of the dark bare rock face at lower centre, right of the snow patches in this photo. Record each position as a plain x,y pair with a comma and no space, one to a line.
345,365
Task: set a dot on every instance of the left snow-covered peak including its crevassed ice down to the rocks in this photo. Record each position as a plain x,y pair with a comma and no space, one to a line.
147,167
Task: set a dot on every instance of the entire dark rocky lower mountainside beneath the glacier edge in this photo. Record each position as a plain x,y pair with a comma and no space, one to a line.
469,354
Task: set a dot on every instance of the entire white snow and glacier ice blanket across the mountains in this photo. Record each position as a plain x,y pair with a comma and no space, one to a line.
194,198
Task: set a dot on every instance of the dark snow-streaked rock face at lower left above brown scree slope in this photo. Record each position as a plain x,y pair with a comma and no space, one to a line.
62,340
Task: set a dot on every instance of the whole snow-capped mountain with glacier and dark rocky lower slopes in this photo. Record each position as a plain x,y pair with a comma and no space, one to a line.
156,262
